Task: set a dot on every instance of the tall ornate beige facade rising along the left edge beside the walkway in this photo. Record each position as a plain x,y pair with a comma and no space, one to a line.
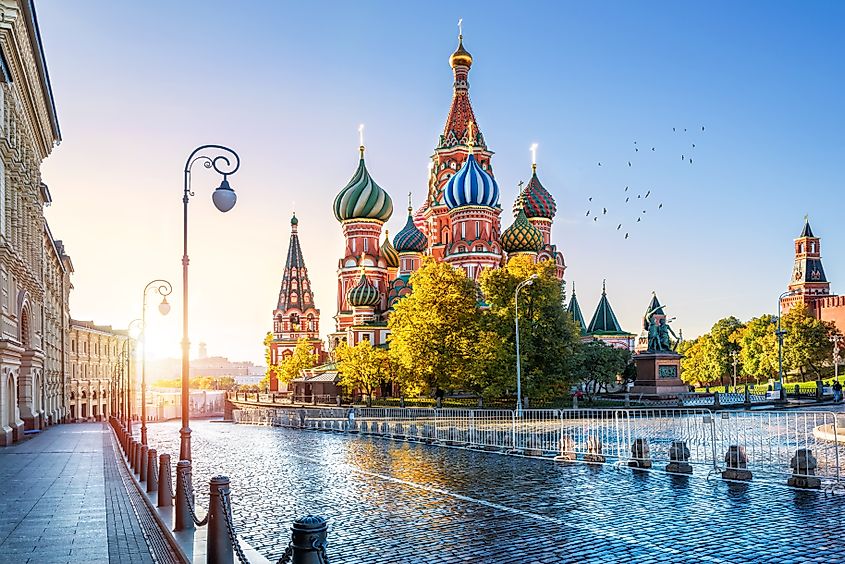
34,269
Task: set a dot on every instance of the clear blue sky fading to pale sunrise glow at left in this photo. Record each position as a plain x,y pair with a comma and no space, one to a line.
139,84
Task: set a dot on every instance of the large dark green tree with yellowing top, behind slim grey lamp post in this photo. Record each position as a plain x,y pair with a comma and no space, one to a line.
549,338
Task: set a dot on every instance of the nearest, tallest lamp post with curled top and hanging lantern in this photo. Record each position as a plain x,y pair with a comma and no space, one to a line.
224,199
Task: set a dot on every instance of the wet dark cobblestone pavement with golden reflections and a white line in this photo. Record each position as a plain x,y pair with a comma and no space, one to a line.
411,503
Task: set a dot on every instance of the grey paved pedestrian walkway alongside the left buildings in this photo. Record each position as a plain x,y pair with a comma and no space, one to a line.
65,497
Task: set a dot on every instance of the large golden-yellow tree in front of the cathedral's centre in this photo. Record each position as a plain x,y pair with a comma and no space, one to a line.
435,331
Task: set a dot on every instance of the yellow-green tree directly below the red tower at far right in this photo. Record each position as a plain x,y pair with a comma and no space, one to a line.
806,345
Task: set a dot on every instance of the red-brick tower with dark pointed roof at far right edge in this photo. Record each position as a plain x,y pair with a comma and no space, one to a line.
808,283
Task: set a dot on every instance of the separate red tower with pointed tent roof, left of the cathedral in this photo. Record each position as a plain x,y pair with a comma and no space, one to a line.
295,316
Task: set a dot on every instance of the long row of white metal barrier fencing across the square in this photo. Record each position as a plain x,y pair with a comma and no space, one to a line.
764,444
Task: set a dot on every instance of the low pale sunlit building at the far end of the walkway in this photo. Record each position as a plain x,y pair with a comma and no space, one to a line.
95,367
